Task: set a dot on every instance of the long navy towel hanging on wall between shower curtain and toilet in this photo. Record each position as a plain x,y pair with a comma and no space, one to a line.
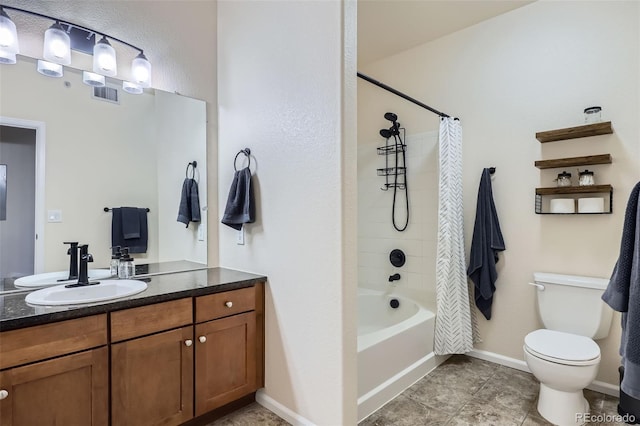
487,242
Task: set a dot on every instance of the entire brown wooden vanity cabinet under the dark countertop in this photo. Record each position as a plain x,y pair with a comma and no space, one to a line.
58,373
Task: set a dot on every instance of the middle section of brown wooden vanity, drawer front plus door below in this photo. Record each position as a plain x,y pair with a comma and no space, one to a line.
152,372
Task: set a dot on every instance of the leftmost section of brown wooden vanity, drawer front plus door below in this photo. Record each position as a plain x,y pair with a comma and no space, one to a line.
55,374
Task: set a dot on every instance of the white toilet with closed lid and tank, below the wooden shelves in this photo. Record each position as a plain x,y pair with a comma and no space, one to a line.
563,355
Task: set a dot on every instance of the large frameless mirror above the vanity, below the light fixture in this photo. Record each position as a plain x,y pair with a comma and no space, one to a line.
106,149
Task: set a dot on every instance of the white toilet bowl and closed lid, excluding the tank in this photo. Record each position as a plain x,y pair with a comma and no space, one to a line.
564,364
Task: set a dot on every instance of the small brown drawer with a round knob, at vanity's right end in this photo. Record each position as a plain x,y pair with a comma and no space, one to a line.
224,304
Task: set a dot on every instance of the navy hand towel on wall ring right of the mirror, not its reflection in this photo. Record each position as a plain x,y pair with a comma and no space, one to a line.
240,206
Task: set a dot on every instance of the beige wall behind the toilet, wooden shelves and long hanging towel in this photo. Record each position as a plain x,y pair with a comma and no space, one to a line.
529,70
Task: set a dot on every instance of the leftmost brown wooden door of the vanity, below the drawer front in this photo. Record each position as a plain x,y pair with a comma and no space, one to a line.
71,390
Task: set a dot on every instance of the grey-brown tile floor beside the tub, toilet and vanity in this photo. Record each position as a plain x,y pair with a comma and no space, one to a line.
462,391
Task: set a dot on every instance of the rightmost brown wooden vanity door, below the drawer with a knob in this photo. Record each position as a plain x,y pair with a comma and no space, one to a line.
225,360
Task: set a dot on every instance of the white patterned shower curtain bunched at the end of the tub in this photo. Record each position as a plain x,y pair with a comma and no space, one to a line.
454,325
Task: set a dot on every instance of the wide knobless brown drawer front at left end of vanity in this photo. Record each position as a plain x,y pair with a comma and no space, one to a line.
40,342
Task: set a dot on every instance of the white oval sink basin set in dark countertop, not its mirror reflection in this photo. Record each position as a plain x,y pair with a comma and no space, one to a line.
105,290
